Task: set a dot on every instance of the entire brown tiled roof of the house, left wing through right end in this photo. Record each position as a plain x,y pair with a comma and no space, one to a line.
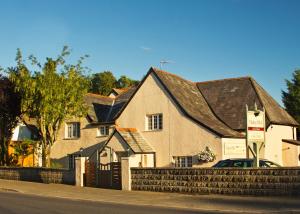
217,105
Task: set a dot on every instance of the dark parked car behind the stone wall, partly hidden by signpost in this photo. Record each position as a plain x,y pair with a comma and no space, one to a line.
244,162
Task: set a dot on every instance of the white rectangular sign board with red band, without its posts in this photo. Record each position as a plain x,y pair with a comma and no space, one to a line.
256,126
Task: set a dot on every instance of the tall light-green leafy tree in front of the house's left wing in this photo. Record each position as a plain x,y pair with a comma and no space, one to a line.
51,95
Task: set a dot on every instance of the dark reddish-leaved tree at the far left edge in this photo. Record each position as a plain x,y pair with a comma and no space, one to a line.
10,111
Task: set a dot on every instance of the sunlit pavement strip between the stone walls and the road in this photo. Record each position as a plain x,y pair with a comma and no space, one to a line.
209,203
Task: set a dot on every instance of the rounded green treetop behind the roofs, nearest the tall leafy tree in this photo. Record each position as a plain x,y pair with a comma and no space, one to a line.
103,83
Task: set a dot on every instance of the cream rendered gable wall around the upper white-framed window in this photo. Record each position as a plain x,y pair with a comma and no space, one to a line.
180,136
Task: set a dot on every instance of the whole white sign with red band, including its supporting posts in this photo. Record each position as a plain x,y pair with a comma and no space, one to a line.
255,132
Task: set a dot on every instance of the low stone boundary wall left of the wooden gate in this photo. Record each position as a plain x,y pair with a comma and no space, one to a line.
41,175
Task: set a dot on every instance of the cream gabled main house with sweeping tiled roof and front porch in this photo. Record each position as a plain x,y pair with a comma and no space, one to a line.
168,121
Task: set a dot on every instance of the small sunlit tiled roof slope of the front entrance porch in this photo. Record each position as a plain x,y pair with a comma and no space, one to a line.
135,140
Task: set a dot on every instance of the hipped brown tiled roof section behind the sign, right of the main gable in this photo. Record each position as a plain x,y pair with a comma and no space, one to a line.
228,98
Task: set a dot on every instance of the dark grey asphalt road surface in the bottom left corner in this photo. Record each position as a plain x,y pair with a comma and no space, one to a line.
19,203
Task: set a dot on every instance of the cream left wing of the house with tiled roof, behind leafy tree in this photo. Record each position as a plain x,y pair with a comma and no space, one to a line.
84,136
